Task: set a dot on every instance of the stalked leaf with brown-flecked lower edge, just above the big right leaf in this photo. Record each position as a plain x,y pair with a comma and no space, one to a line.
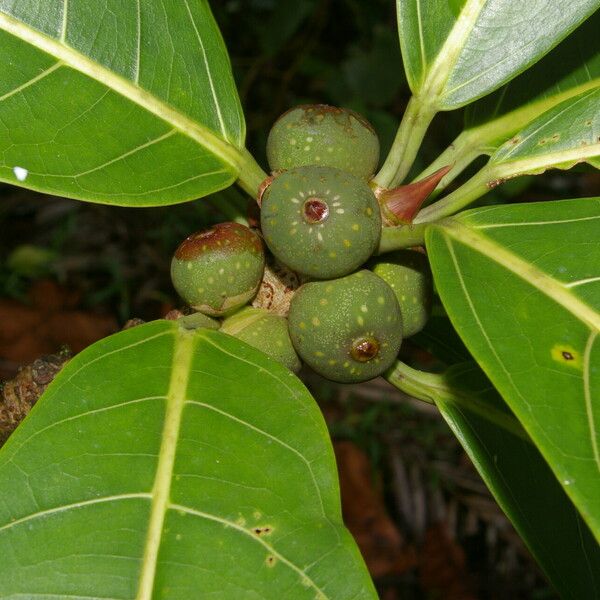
560,138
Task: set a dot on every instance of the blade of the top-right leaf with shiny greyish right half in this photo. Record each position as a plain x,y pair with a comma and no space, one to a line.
455,52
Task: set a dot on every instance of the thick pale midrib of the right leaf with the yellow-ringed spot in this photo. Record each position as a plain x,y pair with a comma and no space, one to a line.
546,284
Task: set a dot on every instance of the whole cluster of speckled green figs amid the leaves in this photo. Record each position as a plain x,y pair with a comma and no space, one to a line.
341,310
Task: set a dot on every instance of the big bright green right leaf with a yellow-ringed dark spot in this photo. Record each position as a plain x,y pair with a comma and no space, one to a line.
521,285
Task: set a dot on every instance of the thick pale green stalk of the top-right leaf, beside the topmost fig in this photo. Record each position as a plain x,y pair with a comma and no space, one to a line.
414,124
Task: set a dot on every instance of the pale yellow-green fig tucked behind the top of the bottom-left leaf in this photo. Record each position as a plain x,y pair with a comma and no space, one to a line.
266,332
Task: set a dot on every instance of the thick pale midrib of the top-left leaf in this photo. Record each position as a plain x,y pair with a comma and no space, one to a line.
70,57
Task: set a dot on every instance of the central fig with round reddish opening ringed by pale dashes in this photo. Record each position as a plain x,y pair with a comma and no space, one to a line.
320,222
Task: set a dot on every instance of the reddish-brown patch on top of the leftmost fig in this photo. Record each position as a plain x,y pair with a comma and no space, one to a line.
234,237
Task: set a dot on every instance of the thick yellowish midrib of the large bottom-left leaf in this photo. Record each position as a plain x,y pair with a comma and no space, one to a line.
182,360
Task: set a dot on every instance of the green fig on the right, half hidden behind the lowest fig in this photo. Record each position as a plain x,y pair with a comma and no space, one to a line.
407,272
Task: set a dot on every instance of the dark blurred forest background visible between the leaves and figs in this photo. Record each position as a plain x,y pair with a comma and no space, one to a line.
72,273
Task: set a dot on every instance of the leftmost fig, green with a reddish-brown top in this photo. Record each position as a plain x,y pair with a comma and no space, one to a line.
218,270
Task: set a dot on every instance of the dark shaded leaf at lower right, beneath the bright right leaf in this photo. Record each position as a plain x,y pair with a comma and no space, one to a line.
522,483
